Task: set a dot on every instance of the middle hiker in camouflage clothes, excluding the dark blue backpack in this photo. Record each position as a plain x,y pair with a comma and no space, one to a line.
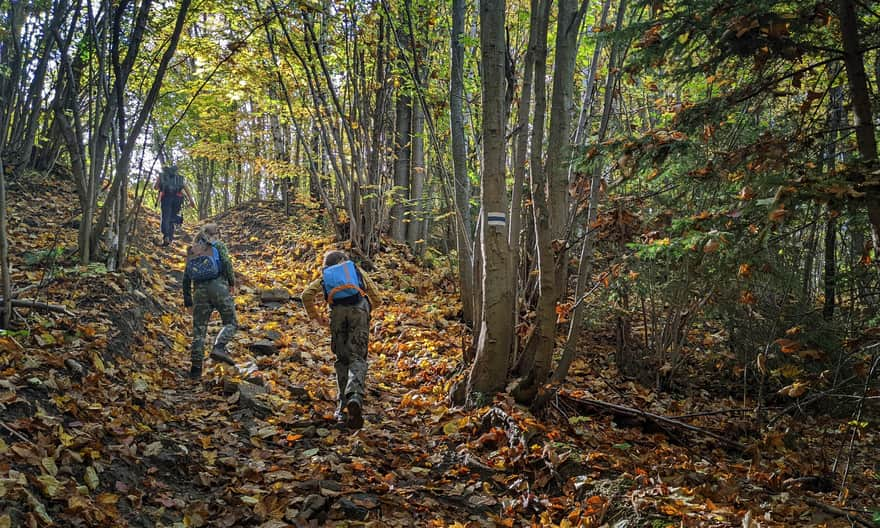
207,296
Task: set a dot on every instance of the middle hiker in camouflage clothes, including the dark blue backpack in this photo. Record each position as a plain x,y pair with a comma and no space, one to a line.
209,274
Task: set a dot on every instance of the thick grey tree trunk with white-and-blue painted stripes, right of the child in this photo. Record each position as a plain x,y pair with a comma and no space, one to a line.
489,371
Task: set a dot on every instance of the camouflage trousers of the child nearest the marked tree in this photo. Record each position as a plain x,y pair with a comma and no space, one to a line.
349,337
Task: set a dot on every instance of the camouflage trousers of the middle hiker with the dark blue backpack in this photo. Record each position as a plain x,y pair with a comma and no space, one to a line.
209,296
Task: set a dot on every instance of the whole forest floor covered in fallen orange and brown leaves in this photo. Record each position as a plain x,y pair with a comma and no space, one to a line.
100,426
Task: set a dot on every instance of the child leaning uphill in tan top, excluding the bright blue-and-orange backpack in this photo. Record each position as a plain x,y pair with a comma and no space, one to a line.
349,339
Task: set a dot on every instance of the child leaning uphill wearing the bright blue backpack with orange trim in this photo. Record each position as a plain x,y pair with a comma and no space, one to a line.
350,295
